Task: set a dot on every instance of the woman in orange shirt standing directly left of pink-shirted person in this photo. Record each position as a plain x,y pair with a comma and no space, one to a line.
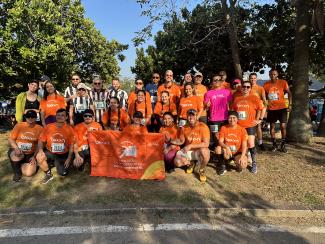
190,101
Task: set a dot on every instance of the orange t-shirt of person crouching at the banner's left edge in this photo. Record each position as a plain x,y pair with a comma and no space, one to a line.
81,132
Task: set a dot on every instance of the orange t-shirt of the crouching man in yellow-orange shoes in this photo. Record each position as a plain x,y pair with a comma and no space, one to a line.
197,134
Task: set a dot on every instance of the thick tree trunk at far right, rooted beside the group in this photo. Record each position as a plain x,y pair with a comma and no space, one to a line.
299,125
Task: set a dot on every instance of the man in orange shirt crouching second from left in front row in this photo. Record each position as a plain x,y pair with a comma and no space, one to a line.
56,145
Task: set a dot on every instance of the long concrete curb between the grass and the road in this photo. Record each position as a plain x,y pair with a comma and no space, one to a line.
281,213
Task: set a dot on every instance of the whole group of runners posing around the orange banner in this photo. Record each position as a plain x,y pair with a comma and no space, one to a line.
195,119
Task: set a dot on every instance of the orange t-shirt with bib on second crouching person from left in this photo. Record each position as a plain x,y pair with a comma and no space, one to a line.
57,139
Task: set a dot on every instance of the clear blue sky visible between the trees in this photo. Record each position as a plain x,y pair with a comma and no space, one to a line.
119,20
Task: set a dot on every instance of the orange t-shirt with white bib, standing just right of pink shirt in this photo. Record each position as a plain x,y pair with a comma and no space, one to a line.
246,108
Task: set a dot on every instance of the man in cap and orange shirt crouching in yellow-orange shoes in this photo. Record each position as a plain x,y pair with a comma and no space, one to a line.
196,138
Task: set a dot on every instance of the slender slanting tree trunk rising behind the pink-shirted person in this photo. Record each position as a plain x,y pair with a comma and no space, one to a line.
229,13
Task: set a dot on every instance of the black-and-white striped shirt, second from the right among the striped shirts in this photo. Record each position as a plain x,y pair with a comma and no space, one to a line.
100,100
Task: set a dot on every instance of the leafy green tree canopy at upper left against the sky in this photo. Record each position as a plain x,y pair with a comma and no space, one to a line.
52,37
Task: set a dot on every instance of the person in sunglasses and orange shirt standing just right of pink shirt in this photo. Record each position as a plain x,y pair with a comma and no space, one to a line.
249,108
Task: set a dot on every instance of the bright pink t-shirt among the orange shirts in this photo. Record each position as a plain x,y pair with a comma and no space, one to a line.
219,100
